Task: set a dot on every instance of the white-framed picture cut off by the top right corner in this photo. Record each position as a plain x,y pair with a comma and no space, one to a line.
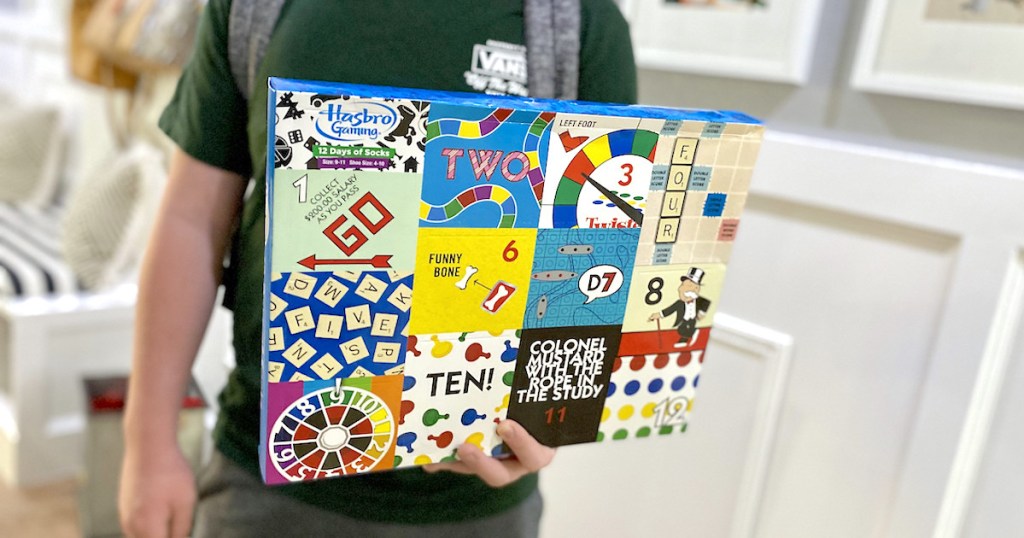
957,51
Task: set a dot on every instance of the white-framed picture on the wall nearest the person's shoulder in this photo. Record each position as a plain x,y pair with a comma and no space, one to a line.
753,39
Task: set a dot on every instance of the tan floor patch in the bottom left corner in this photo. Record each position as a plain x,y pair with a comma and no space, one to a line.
50,512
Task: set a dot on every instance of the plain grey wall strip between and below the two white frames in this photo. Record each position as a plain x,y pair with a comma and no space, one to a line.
828,107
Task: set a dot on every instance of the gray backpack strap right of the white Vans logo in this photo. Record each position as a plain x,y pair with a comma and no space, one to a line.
552,32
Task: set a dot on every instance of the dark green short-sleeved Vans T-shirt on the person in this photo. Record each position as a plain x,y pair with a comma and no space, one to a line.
385,43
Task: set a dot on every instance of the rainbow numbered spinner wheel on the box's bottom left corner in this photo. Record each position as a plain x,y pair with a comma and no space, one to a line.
330,434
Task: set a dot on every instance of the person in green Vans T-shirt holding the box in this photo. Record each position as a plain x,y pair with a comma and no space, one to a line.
459,46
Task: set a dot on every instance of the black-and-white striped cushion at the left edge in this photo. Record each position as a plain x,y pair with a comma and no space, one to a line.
31,260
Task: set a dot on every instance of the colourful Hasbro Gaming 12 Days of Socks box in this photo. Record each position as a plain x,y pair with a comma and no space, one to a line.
438,263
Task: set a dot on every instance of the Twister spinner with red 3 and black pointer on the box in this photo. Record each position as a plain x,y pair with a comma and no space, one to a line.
621,161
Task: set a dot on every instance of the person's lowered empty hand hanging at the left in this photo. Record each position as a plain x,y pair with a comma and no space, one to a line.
158,493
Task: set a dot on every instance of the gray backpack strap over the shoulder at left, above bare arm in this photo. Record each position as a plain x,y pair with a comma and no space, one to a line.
249,29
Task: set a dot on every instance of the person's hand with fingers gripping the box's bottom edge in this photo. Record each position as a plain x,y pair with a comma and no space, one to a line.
528,457
